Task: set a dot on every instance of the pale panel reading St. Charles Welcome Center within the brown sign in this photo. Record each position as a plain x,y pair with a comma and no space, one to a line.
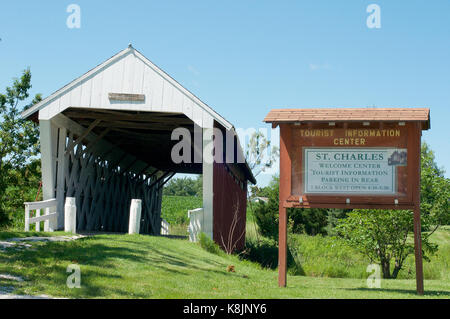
352,170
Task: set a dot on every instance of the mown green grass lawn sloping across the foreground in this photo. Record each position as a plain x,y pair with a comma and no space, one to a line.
139,266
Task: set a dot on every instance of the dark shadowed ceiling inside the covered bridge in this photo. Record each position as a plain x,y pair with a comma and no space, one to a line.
145,135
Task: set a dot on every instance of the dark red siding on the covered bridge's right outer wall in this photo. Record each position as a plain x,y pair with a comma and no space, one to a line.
229,197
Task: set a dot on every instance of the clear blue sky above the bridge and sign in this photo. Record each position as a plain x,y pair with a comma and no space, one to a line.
245,57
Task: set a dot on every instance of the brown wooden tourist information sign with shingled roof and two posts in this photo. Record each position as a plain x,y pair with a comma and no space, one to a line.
348,159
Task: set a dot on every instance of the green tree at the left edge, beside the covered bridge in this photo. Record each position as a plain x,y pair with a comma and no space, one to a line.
19,140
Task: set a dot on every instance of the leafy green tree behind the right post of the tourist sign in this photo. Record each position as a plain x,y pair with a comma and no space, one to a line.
382,235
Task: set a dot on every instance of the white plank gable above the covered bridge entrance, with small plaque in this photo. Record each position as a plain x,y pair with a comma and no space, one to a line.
131,73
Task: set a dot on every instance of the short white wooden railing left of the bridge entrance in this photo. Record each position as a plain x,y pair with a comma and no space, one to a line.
49,218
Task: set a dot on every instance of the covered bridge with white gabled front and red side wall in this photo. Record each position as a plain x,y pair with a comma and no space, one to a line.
106,139
